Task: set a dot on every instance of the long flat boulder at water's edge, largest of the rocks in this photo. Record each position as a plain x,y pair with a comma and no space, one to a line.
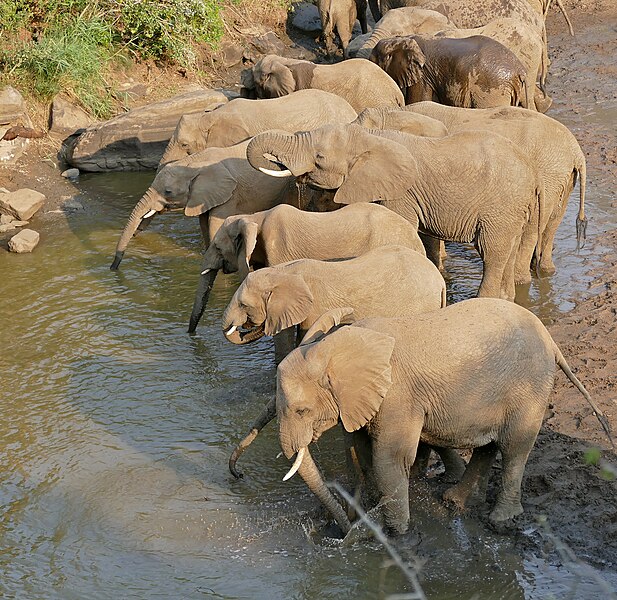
137,139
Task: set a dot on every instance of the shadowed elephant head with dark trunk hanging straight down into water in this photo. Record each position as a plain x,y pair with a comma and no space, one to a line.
230,250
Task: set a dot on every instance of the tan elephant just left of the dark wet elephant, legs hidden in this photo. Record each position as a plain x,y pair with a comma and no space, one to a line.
361,83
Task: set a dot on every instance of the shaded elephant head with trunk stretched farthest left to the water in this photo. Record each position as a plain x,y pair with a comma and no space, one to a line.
197,183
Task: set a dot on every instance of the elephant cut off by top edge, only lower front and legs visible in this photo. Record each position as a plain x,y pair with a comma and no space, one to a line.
340,15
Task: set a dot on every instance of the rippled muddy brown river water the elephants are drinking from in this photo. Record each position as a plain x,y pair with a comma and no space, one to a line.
118,425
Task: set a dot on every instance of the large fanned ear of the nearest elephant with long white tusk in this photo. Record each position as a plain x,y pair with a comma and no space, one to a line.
358,372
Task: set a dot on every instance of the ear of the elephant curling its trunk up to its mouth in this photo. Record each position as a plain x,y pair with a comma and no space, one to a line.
382,170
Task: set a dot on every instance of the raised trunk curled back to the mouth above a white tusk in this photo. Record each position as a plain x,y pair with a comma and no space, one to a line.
280,154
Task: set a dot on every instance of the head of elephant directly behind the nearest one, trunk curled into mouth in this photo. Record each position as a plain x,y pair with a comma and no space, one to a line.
268,301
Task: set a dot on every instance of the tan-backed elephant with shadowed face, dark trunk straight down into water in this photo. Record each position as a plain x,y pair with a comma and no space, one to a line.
285,233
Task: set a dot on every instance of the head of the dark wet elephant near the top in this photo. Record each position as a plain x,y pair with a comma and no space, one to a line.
401,58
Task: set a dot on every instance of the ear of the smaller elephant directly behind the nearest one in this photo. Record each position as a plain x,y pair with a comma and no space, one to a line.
288,304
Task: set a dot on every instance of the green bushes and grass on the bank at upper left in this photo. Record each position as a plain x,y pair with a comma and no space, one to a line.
69,45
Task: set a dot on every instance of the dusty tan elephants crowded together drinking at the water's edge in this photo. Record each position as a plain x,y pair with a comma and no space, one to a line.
331,197
